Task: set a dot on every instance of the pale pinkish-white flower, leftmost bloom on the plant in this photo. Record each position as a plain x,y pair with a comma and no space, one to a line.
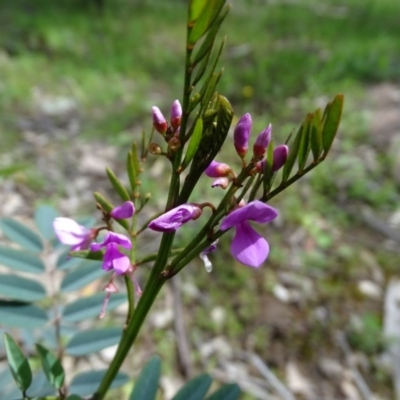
72,234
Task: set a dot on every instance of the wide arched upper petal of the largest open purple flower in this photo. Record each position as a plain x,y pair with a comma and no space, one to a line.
255,211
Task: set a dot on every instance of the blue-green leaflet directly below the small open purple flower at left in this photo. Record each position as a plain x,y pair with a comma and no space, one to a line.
81,276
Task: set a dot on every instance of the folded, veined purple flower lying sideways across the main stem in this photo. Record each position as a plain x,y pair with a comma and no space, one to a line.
175,218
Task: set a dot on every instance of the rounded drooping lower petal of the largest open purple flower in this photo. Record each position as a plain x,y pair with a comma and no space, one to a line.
249,247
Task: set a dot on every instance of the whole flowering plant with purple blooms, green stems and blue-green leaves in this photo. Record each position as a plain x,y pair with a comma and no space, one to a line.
190,141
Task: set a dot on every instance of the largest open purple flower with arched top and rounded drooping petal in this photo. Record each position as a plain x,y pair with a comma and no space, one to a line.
249,247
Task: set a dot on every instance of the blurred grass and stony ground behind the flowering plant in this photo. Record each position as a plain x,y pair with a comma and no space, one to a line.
78,79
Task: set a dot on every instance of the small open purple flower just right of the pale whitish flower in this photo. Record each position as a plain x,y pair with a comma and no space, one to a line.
113,258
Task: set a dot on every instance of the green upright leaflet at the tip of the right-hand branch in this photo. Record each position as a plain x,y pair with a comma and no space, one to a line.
331,121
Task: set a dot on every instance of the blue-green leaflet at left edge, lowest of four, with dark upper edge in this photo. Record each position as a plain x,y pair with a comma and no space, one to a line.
21,315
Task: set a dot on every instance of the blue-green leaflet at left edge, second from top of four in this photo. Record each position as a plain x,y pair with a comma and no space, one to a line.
19,260
